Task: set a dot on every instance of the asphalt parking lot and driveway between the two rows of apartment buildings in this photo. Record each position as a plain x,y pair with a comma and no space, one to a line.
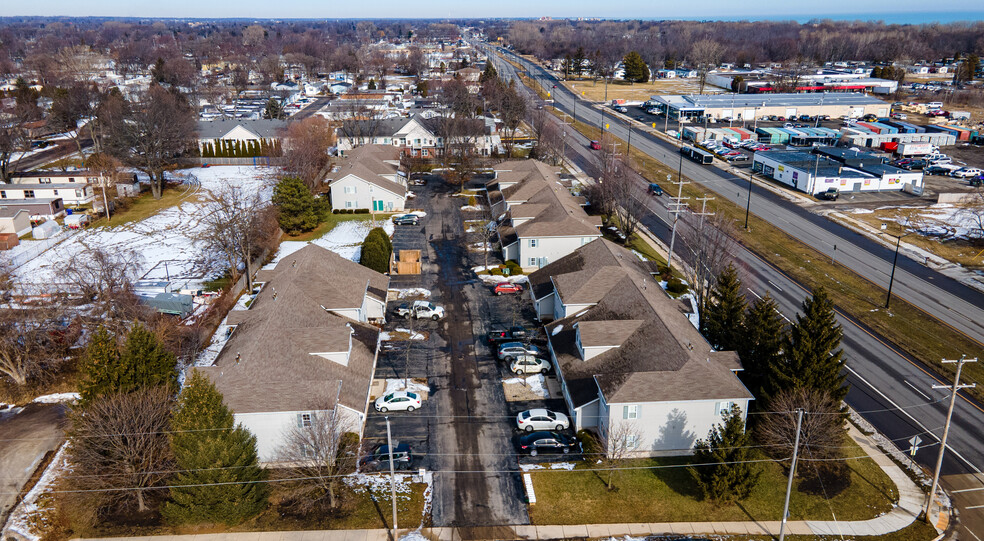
465,430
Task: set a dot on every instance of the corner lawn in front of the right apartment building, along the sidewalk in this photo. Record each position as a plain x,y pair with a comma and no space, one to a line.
669,494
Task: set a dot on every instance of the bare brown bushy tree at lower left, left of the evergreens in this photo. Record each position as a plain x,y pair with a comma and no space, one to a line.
118,446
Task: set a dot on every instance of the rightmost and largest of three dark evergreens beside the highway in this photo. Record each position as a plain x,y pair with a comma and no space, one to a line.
812,358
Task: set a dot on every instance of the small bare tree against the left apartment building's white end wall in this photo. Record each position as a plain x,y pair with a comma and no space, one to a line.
320,453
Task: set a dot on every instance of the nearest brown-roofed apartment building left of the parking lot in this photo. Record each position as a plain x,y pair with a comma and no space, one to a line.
304,346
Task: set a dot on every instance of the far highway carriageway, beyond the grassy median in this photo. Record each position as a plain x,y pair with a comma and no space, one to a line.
952,302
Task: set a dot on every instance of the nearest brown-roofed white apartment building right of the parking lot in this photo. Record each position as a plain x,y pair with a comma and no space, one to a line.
627,355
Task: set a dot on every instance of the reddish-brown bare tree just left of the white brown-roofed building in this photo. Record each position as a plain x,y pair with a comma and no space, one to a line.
306,150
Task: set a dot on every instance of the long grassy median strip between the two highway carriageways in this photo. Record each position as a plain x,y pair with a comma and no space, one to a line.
904,325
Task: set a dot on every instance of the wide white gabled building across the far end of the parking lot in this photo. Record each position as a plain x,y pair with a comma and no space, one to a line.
418,135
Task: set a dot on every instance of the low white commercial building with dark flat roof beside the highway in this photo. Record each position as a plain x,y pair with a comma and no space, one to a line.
831,167
